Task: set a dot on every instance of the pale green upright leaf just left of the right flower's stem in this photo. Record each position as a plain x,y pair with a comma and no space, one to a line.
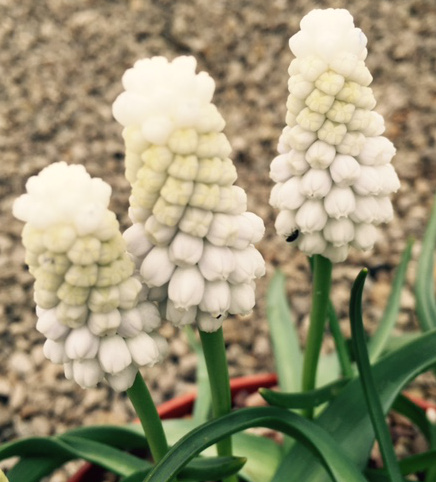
284,336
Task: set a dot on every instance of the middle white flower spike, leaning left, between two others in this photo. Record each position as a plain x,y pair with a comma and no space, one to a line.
192,236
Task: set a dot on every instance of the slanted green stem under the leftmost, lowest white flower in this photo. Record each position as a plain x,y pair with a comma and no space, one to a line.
147,413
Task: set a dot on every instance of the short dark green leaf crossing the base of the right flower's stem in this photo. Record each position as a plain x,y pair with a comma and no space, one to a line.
312,398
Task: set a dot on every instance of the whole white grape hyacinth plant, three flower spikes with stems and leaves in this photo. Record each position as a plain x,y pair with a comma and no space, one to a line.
189,258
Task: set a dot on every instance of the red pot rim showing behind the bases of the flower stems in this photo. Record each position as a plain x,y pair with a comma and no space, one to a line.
183,405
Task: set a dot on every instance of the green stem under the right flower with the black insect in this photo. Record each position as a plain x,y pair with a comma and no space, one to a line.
322,272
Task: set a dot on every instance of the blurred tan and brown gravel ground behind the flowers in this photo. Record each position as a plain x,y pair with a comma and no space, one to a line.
61,63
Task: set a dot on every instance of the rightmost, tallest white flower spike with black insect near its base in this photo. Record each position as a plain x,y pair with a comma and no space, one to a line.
333,173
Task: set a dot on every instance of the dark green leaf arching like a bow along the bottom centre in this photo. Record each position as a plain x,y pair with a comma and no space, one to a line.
316,439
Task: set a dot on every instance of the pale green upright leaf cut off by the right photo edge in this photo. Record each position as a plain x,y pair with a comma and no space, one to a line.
424,287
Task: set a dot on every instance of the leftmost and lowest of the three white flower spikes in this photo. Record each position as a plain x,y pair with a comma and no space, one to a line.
86,296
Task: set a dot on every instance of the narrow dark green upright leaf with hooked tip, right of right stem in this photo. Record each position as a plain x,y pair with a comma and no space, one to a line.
367,380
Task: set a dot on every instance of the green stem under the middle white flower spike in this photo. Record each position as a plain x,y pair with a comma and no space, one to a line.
217,369
